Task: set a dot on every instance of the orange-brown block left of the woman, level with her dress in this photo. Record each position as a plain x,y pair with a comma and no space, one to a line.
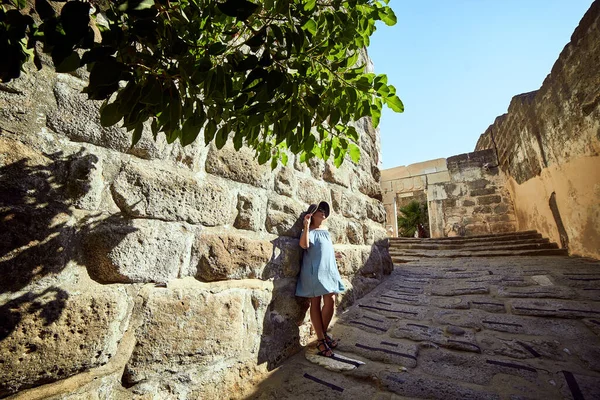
219,256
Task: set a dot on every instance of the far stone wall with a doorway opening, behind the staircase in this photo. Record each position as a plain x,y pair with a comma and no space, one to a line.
466,194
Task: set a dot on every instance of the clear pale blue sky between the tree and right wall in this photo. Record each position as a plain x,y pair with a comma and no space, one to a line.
456,64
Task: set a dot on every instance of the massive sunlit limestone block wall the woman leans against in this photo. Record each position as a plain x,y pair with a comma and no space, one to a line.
157,270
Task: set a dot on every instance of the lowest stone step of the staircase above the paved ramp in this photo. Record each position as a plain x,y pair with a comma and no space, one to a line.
413,255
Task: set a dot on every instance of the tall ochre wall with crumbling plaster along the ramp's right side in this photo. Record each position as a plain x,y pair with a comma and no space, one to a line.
548,145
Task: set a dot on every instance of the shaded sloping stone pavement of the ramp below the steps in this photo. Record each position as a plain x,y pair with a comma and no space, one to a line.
464,328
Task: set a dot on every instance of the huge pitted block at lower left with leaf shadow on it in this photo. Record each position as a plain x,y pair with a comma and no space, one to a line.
49,335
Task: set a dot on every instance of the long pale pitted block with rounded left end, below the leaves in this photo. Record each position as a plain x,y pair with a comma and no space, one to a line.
147,191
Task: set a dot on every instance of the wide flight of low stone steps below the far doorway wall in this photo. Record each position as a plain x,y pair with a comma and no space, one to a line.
526,243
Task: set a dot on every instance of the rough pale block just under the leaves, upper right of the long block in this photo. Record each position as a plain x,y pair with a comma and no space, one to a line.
240,166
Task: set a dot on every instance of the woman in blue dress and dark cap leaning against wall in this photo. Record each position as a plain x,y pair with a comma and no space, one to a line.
319,276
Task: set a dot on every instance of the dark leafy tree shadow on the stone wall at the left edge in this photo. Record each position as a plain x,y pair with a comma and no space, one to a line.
39,233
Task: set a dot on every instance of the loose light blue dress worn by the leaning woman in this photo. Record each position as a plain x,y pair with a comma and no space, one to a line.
319,274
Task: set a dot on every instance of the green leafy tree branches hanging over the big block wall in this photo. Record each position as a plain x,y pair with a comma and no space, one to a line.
271,74
